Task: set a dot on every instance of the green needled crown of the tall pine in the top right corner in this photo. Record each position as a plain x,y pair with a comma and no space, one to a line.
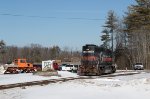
138,16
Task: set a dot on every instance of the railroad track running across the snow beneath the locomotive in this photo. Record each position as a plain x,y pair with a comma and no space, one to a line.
45,82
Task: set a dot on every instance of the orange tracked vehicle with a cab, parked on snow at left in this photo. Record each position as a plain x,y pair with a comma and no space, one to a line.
20,66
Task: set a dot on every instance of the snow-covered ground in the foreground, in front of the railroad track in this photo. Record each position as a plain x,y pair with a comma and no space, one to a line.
120,87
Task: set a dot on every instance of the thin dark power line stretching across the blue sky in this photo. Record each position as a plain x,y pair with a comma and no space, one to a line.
48,17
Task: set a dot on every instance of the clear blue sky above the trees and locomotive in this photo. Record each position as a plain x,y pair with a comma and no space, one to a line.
66,23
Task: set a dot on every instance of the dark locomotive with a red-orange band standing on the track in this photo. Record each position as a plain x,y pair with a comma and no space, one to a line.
96,60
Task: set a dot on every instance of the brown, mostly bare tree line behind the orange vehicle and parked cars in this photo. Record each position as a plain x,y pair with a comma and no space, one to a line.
35,53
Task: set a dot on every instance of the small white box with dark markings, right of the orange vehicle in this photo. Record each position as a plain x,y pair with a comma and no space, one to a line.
47,65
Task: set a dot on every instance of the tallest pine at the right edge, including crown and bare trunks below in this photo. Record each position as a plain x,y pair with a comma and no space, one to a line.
137,24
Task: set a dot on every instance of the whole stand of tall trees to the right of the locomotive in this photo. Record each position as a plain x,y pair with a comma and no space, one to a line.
129,37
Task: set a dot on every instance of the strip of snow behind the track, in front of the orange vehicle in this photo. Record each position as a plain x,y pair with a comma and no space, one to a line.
28,77
